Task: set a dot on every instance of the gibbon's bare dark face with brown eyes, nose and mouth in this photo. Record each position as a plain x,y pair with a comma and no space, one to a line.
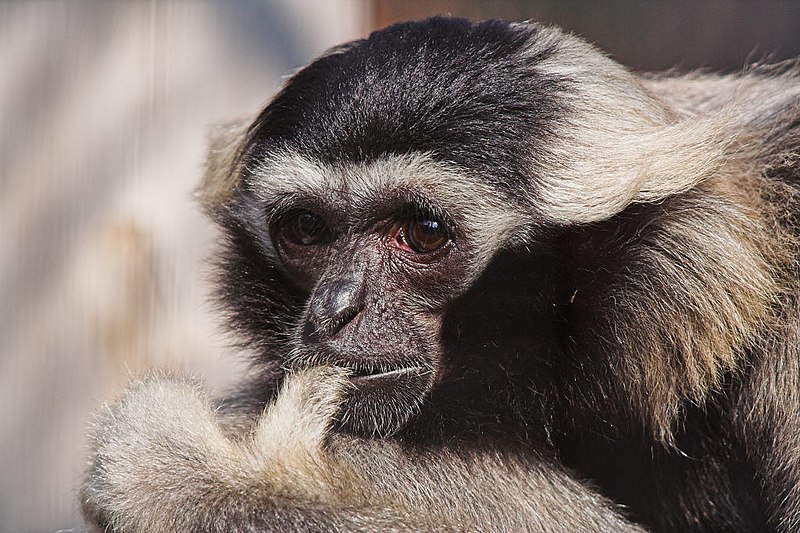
365,308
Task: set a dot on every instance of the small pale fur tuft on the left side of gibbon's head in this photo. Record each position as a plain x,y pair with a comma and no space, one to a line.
223,164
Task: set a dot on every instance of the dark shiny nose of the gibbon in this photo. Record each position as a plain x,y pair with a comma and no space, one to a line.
333,305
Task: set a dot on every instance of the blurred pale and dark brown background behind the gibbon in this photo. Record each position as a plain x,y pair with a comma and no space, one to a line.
104,109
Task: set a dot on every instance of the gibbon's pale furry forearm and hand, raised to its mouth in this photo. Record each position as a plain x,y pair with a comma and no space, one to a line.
162,462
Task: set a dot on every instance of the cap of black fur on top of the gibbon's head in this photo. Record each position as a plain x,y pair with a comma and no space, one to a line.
466,93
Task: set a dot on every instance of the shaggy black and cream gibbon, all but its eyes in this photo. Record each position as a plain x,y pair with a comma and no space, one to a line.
608,341
